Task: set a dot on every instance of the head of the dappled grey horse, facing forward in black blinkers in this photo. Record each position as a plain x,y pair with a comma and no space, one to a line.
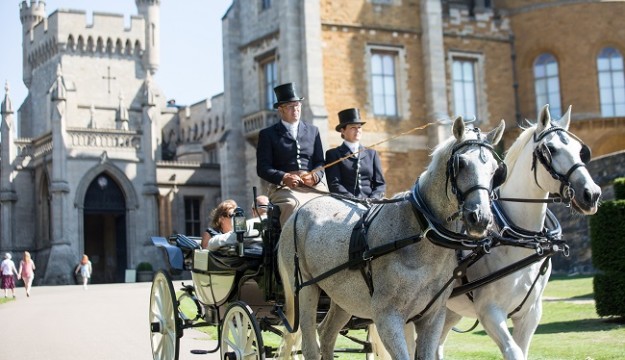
473,170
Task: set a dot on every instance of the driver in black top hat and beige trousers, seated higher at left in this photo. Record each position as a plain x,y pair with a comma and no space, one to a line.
289,155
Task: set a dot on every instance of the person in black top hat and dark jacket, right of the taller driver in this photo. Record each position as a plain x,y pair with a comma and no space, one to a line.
359,173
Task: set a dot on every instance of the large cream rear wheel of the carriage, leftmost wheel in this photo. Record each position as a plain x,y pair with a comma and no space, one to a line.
165,325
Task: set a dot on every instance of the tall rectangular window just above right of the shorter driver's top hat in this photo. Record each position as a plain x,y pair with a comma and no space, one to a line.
384,82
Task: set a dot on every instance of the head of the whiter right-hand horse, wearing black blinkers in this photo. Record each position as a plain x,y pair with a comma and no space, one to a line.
560,160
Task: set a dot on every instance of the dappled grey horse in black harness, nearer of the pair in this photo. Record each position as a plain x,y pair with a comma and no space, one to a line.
409,279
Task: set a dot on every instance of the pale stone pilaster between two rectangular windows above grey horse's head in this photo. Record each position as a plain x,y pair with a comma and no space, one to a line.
434,69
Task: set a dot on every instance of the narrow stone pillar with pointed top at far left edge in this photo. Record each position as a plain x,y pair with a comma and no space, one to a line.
7,192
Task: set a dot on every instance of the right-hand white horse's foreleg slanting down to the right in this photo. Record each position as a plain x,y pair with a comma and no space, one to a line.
494,322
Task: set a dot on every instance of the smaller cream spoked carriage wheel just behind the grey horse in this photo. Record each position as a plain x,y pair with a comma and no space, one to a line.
240,334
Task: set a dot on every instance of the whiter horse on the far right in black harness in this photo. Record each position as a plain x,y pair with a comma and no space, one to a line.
546,158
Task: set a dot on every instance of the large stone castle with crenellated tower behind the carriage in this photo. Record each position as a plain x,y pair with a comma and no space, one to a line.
102,161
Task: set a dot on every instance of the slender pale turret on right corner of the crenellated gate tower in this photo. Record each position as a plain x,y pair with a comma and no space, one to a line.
150,10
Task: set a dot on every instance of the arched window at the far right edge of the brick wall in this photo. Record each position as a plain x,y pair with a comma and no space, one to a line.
611,82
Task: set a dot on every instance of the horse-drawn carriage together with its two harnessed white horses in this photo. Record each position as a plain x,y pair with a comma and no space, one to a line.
244,295
